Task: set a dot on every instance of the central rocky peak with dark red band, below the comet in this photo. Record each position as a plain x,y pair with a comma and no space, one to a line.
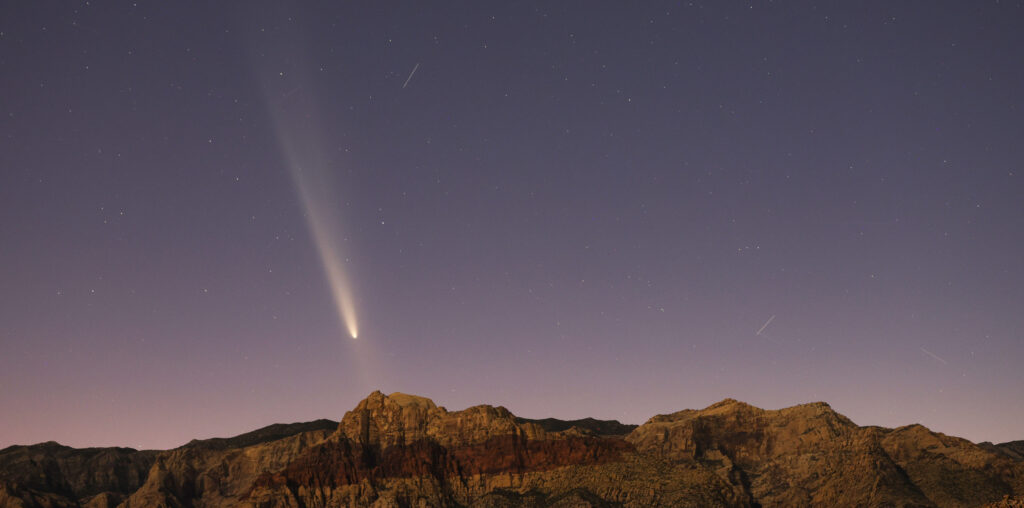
402,449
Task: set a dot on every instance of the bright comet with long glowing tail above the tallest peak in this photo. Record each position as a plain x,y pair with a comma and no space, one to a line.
292,90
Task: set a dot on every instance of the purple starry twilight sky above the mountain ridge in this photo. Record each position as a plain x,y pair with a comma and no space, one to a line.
570,209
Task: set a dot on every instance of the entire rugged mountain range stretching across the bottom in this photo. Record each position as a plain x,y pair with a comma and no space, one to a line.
403,450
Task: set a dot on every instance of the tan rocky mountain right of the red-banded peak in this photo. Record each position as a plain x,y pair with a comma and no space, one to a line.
810,455
